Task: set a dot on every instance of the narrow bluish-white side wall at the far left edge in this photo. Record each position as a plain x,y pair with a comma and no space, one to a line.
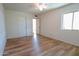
2,30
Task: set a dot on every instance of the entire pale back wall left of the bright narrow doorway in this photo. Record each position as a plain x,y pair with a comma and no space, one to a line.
18,24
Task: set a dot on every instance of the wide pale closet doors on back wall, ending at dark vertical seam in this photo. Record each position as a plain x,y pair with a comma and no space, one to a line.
15,24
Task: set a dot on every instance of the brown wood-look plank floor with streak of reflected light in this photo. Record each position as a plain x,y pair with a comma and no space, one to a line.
39,46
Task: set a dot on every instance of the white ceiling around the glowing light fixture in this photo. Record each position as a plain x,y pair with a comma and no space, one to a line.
29,7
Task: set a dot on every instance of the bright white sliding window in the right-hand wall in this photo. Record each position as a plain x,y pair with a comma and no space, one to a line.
71,21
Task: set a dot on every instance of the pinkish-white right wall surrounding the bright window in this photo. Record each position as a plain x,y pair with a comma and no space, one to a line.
51,25
